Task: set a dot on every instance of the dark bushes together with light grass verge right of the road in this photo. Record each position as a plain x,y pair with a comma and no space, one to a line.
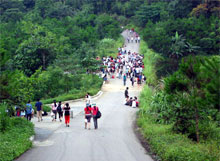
167,112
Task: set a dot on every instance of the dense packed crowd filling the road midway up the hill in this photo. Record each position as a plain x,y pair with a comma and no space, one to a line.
127,65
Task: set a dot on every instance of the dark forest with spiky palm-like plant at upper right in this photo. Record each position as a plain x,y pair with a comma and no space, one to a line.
176,29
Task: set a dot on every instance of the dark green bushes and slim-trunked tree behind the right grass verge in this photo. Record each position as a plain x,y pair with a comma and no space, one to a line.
183,101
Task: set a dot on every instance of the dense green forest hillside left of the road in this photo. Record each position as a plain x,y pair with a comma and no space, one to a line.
46,52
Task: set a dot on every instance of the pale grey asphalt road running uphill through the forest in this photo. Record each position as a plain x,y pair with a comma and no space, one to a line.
113,141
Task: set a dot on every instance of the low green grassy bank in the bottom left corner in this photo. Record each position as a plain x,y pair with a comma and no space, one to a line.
14,135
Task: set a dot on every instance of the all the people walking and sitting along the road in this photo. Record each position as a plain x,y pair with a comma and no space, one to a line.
126,66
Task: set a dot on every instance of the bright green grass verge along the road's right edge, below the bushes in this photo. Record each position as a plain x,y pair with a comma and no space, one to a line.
170,146
